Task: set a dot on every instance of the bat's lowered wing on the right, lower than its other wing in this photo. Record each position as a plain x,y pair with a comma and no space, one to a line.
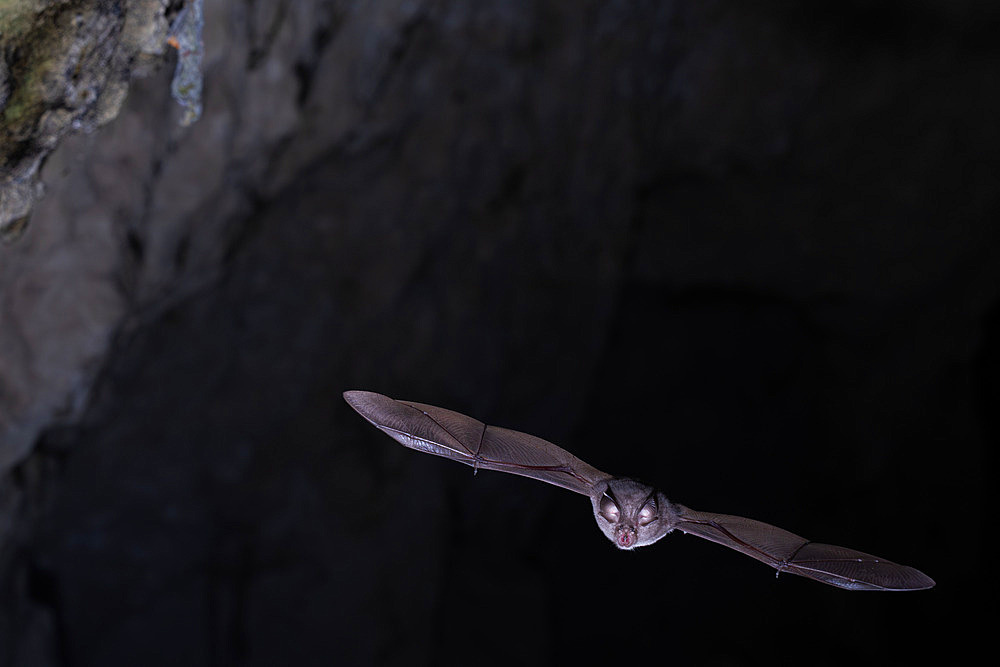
786,552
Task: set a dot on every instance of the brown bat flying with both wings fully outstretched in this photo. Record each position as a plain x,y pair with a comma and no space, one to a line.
631,514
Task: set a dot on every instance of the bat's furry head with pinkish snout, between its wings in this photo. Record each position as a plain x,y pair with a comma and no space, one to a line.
630,513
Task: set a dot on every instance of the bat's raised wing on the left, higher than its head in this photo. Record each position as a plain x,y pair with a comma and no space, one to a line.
455,436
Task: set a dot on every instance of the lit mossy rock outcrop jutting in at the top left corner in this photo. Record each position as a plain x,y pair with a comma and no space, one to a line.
65,67
